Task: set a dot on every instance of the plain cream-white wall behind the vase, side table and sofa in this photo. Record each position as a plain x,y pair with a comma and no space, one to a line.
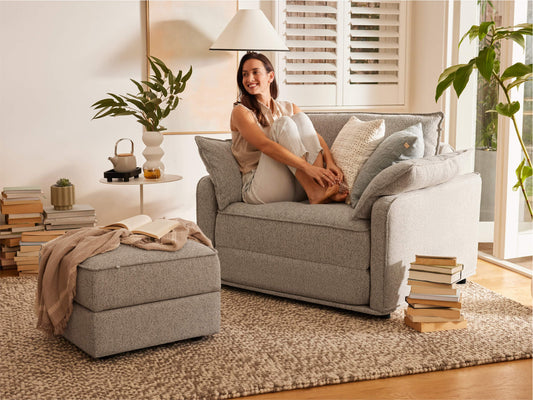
60,57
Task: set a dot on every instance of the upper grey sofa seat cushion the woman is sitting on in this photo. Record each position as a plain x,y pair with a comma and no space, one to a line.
320,233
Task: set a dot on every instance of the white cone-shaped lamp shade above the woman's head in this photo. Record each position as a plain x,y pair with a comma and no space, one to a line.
249,30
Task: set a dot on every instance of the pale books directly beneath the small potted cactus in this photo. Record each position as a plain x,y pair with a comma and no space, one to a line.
80,216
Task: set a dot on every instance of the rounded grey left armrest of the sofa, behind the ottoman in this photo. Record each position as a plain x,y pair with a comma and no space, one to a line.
206,207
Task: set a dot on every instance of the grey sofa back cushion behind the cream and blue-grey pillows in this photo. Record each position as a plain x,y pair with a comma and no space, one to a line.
329,124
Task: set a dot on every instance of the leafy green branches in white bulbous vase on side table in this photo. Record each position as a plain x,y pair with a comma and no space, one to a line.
153,103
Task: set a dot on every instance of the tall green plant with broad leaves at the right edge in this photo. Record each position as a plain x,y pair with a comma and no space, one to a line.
508,78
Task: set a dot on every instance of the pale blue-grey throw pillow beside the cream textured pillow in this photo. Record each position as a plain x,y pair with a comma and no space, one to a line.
403,145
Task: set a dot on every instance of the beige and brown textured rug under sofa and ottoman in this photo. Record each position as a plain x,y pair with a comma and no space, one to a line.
266,344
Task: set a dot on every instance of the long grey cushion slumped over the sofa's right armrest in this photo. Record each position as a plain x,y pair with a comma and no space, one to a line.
413,175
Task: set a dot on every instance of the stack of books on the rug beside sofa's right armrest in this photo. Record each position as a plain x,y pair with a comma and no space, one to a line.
435,298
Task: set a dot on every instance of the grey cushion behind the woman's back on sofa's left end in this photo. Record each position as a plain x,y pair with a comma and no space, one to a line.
222,168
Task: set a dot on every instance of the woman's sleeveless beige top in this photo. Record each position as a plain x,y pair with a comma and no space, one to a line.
247,156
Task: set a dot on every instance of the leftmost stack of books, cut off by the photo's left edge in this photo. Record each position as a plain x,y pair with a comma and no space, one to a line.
21,208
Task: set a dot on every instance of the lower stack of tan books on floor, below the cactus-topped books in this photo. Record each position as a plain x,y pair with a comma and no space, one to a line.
27,258
